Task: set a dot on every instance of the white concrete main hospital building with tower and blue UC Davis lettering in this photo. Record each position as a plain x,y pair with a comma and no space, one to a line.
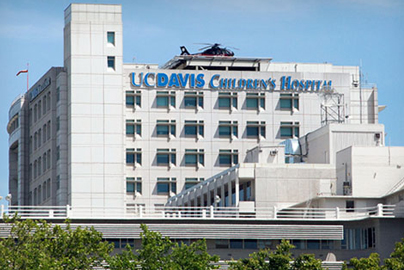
120,137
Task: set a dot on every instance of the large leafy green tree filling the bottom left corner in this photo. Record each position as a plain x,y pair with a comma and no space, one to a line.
39,245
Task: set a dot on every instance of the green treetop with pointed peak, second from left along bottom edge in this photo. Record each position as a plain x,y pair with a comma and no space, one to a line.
158,252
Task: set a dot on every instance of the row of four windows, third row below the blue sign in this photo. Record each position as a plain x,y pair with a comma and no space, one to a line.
192,157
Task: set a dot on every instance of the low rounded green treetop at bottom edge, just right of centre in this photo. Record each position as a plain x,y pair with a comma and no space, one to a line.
280,259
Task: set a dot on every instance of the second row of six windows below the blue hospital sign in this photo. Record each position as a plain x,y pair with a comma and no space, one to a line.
226,129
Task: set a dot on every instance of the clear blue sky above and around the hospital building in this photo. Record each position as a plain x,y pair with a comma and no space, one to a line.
369,33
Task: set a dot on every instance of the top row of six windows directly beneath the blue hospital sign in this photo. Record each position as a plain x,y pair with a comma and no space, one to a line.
226,100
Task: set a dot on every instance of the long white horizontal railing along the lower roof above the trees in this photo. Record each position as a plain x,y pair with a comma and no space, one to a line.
209,212
